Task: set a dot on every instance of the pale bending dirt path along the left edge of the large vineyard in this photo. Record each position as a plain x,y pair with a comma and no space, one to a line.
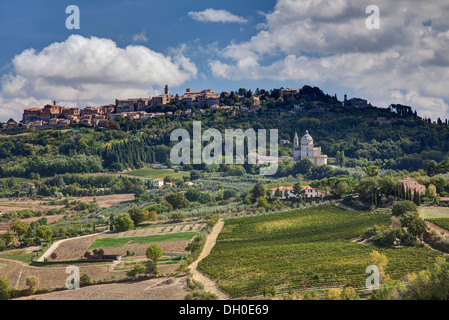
209,285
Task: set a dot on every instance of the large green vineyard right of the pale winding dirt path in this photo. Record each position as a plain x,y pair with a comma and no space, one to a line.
302,249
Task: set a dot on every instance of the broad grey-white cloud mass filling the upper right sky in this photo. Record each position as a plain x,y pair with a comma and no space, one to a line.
322,41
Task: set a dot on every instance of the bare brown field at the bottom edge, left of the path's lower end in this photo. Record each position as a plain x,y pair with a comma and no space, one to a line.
155,289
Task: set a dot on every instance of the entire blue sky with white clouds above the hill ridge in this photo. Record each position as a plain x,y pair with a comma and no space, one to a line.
132,49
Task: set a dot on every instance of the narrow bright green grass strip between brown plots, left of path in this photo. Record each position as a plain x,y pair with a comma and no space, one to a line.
120,242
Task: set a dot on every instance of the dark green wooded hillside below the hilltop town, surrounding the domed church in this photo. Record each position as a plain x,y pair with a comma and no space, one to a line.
394,138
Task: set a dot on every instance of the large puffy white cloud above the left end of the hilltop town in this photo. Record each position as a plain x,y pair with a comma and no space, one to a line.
89,71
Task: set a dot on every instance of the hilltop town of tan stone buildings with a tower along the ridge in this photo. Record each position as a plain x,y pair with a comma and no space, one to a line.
54,115
